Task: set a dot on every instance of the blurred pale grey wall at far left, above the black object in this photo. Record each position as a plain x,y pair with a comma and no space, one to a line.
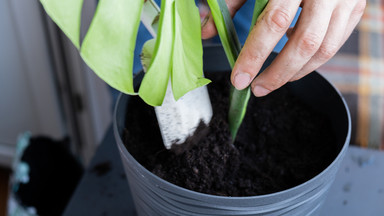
27,92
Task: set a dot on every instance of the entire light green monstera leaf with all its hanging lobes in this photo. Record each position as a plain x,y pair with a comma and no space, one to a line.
109,44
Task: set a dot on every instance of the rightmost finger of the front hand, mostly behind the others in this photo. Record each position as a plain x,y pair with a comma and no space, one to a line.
341,26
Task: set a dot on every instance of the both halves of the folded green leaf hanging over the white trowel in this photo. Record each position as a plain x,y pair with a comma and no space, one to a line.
178,54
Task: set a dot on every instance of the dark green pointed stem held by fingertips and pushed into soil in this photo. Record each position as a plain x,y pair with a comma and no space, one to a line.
228,36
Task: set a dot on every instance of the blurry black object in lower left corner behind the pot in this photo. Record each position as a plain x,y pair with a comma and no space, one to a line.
53,175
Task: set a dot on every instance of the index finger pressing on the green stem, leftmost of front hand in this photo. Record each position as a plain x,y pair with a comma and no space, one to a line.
269,28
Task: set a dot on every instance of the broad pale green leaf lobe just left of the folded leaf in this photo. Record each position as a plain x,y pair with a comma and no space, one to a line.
108,47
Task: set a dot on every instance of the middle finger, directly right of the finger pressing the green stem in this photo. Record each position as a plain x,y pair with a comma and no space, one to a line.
303,44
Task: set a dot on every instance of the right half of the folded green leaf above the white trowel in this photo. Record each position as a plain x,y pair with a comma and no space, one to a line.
187,73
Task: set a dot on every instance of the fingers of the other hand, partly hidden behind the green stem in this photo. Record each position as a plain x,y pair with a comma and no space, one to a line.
208,28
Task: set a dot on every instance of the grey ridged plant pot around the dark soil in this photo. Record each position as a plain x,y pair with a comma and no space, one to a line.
154,196
